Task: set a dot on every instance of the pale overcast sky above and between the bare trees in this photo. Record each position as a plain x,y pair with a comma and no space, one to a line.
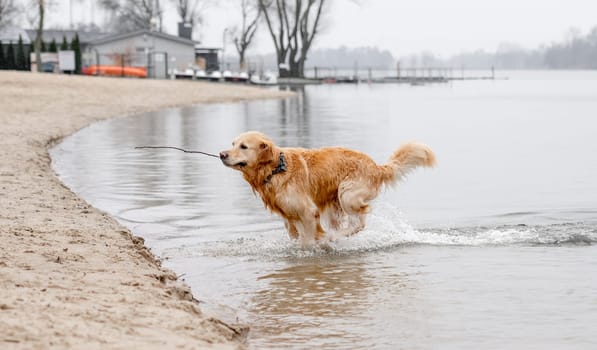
444,27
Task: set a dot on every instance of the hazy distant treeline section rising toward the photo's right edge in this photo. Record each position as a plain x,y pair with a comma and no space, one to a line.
575,52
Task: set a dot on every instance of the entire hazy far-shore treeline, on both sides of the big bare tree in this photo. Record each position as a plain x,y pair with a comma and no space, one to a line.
575,52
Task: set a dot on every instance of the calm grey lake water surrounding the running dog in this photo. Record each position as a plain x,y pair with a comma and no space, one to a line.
494,248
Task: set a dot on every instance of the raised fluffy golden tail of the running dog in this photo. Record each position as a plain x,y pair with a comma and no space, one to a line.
405,159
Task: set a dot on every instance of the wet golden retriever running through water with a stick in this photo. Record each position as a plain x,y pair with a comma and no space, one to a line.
309,186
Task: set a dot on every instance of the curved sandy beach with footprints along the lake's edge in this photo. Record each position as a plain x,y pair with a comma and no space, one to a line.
70,275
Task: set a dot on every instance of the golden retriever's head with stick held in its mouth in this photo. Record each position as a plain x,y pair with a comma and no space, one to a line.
250,150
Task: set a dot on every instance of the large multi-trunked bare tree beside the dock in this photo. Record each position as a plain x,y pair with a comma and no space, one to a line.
292,25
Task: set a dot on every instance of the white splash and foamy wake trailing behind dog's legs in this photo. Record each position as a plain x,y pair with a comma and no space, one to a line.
386,230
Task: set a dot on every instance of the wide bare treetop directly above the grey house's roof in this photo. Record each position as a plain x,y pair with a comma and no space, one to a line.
134,14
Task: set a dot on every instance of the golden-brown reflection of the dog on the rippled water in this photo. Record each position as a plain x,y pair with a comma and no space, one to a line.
320,300
